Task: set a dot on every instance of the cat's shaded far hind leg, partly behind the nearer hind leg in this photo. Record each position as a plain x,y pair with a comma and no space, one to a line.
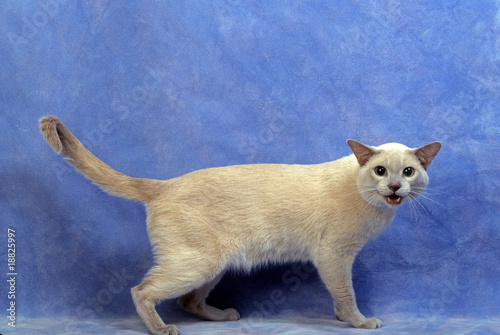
194,303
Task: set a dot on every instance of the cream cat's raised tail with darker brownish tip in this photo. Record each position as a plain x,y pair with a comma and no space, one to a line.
65,143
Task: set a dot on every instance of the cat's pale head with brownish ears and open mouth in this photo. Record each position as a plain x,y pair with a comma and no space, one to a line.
392,174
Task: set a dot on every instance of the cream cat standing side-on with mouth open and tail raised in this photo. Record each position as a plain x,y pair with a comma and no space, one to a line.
237,217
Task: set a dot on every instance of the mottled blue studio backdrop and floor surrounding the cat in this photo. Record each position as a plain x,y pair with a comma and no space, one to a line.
161,88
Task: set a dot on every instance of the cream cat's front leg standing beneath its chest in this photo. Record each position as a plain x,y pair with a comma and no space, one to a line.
335,270
